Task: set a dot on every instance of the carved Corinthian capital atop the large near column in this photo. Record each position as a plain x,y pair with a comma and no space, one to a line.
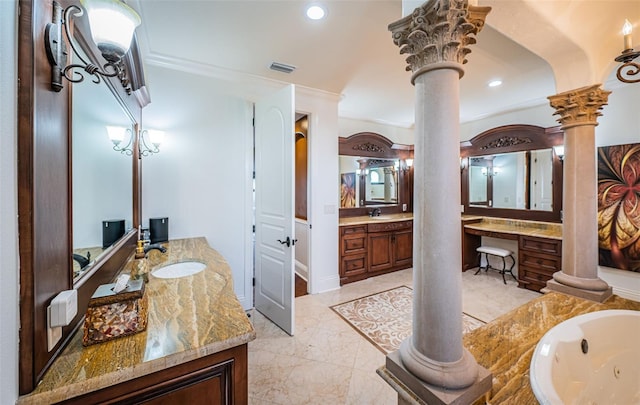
437,34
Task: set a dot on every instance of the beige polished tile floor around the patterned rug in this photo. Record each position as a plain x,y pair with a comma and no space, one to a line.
328,362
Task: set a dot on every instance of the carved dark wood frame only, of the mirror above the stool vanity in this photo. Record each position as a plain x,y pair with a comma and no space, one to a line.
514,138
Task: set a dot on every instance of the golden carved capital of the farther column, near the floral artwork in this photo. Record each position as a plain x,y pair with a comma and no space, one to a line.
580,106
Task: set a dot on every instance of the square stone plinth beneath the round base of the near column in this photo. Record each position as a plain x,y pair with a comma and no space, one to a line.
412,390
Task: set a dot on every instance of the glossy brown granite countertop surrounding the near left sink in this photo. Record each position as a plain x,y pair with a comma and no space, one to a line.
188,318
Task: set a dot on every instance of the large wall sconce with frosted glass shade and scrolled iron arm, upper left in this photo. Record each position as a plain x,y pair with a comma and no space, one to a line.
112,25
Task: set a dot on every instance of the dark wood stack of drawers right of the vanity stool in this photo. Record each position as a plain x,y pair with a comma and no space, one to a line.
538,259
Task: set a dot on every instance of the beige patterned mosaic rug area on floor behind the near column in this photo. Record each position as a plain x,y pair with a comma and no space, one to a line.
385,318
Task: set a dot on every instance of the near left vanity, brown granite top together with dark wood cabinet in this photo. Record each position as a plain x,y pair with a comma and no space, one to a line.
194,349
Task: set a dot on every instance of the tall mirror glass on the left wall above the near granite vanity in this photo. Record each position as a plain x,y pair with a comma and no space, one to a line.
102,179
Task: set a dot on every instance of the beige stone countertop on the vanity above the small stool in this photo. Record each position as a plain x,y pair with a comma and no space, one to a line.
548,230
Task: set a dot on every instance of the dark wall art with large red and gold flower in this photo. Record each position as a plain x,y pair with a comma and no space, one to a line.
619,206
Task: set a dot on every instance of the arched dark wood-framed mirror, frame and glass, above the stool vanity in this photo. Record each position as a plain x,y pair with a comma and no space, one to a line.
513,171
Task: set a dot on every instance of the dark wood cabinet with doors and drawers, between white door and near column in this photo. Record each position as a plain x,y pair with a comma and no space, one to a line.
375,248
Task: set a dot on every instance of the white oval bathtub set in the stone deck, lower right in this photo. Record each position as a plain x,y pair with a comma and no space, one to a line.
592,359
